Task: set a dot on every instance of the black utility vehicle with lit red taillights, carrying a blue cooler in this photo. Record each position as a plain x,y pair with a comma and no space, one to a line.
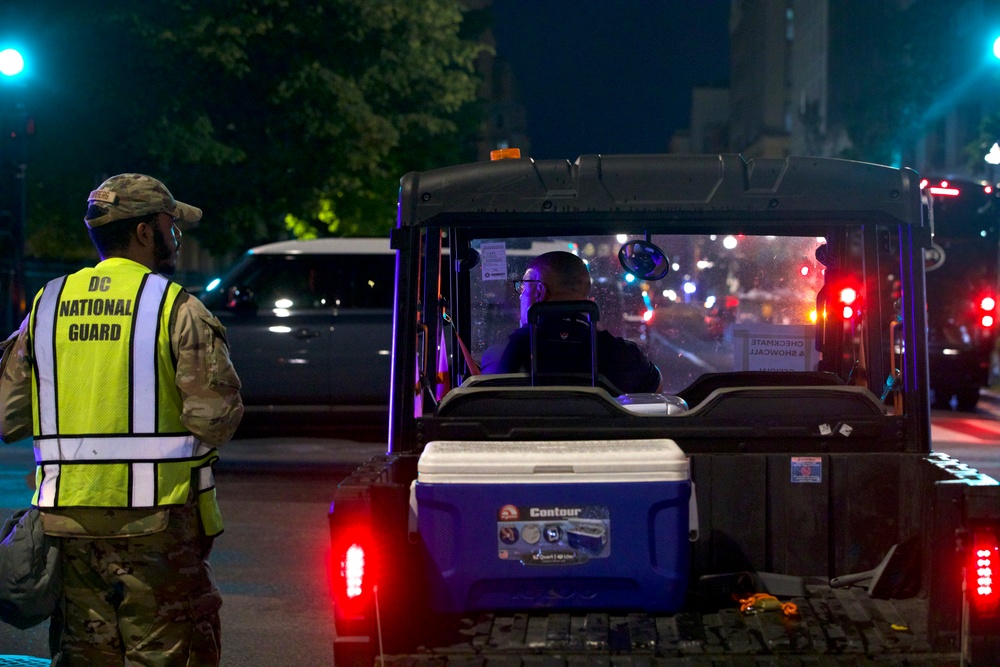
778,503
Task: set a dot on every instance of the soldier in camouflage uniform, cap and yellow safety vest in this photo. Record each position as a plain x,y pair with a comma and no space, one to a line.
125,382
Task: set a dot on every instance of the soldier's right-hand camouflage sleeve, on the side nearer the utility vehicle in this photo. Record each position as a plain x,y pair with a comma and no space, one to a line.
208,384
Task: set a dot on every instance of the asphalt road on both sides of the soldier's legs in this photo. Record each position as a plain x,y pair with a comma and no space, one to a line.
270,563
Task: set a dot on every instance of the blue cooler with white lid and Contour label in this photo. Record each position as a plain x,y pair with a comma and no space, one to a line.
556,524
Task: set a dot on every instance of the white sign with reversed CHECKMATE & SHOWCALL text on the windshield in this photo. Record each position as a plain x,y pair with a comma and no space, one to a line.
774,347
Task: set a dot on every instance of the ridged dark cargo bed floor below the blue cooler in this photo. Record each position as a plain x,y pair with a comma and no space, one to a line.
833,627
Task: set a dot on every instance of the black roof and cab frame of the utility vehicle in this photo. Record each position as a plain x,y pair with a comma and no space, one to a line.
441,211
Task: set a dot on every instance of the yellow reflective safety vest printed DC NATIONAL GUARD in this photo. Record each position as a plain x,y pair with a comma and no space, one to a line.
106,410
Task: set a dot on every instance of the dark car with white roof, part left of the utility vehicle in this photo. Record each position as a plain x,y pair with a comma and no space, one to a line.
310,326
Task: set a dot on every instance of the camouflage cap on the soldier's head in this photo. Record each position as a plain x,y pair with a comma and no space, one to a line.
134,195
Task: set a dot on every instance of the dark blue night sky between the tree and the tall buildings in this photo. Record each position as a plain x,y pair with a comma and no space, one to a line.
601,76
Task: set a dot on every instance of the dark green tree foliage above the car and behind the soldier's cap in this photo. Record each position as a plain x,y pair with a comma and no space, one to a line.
275,116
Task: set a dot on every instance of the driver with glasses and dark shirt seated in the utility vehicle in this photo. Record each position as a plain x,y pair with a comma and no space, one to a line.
562,276
